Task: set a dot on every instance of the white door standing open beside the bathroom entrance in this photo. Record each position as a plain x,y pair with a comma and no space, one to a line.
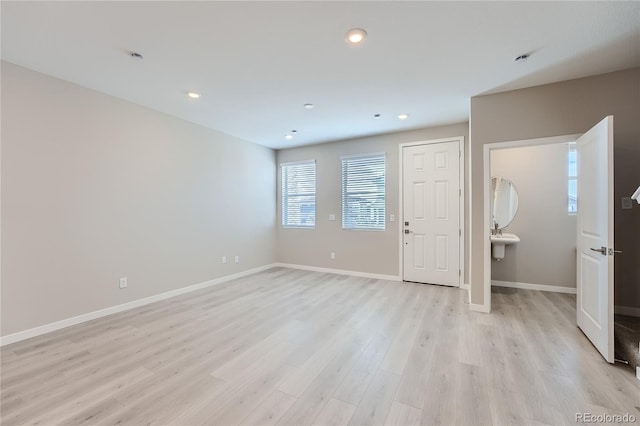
595,236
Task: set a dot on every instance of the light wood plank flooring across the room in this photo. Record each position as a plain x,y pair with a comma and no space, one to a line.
290,347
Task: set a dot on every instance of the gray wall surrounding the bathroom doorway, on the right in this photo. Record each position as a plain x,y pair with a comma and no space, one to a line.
564,108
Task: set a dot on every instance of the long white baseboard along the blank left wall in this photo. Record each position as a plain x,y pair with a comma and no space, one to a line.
48,328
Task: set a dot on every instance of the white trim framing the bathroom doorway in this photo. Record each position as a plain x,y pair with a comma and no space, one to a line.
486,215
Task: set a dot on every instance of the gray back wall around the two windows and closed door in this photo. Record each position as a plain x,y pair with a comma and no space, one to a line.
375,252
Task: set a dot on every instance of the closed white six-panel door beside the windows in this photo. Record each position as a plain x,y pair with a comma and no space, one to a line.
431,210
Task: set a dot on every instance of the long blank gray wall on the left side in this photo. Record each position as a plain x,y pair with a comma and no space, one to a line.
95,188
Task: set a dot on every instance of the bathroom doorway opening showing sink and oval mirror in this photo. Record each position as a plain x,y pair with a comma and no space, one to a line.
533,210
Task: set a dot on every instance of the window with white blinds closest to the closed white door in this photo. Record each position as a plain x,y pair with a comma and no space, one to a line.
363,192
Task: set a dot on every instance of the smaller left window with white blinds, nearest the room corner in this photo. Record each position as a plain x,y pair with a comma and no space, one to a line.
299,194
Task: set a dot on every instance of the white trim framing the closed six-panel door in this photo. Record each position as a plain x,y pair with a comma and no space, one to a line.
460,140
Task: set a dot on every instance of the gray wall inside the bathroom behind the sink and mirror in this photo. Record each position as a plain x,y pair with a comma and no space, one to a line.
546,253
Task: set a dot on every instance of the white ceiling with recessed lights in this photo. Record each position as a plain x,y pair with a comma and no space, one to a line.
257,63
